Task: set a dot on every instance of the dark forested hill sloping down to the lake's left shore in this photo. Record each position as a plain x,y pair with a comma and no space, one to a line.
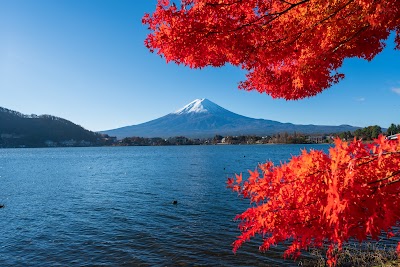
18,130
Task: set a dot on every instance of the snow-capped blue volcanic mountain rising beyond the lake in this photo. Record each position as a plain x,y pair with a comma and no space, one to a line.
202,118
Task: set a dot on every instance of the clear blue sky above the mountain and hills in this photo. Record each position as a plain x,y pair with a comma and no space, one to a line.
84,60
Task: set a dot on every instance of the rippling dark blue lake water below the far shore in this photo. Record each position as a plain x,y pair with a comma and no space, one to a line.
112,206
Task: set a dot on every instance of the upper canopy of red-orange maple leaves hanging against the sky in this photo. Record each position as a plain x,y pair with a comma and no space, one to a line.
291,49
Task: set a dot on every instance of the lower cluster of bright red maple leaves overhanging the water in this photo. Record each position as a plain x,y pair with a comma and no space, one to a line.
318,200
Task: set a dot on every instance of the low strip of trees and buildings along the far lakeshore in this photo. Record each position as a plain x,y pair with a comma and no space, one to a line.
366,134
